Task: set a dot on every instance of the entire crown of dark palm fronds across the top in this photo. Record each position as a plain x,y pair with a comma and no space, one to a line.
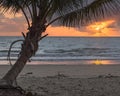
67,12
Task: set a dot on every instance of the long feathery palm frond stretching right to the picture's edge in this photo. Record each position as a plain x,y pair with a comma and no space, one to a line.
95,11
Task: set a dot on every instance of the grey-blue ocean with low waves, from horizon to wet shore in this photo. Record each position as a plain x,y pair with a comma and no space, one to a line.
67,50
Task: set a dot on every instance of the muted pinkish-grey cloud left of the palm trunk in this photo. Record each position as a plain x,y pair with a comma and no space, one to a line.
16,24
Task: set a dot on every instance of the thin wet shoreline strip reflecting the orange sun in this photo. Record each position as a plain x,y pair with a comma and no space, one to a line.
70,62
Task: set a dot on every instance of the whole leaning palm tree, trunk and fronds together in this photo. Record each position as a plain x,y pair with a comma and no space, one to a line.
39,14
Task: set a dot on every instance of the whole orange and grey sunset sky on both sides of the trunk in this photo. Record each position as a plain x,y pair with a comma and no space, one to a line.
13,26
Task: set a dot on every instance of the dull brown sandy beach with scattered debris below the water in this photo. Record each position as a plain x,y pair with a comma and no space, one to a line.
69,80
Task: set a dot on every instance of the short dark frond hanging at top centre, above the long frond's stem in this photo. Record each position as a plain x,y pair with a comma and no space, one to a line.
63,6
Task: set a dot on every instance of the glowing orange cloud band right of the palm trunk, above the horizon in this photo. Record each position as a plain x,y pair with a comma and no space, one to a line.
103,28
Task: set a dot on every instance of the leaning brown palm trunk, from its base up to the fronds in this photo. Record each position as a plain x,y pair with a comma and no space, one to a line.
29,48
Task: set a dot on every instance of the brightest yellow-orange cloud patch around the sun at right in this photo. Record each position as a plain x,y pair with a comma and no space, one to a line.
103,28
